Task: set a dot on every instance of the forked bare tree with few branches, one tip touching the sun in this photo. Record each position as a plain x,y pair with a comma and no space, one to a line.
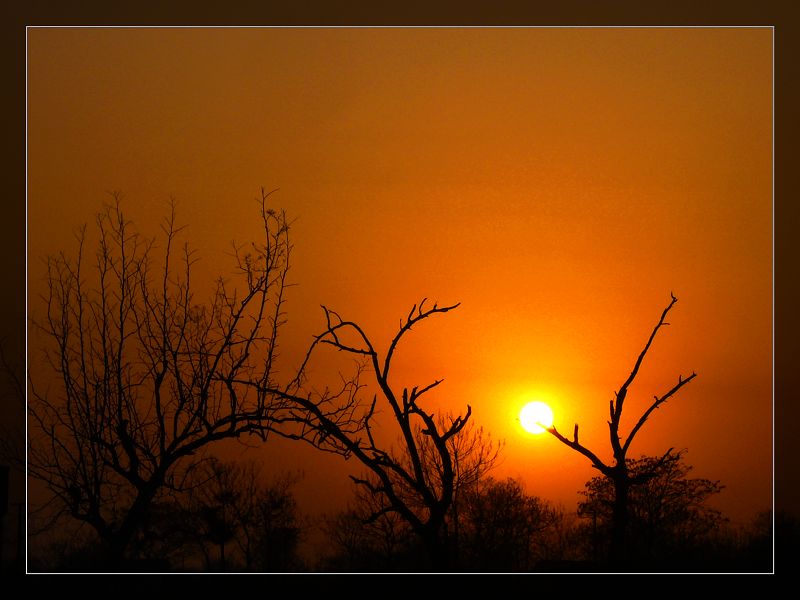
617,471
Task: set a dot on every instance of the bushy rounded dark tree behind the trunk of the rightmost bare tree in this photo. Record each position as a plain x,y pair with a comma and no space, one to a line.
668,514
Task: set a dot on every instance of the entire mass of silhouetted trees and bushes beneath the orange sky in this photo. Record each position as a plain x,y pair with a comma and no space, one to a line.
138,377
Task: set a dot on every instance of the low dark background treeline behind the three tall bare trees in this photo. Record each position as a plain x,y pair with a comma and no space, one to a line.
233,520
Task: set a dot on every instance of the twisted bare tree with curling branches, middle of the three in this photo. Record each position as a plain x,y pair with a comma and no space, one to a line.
417,480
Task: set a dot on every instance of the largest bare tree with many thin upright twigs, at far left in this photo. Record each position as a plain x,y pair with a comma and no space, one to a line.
138,378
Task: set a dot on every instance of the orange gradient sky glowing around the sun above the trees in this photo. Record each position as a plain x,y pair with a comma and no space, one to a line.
560,183
